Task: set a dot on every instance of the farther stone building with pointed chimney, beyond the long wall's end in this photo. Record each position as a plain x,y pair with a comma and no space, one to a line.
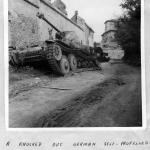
89,32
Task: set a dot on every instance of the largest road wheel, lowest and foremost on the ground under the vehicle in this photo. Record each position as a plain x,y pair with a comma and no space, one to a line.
64,65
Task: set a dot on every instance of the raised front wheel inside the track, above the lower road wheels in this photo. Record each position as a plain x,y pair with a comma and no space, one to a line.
57,53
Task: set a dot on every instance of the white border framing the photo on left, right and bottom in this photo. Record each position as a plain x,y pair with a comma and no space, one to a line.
89,129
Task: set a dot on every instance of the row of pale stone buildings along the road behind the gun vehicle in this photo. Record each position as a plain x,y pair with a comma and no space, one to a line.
26,29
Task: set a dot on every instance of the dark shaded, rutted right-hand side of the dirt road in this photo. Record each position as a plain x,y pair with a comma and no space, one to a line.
114,103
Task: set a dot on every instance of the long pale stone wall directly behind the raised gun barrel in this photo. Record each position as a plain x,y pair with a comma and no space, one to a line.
26,29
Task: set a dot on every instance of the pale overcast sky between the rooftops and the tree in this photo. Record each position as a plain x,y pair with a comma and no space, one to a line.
95,12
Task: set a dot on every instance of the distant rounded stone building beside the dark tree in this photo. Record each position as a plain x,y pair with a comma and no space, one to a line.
109,43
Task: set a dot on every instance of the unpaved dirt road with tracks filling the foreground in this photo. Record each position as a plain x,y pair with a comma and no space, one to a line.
111,97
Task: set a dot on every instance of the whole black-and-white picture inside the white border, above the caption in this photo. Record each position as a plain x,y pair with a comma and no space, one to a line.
75,64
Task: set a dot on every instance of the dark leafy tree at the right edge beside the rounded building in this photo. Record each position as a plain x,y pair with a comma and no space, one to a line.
128,30
